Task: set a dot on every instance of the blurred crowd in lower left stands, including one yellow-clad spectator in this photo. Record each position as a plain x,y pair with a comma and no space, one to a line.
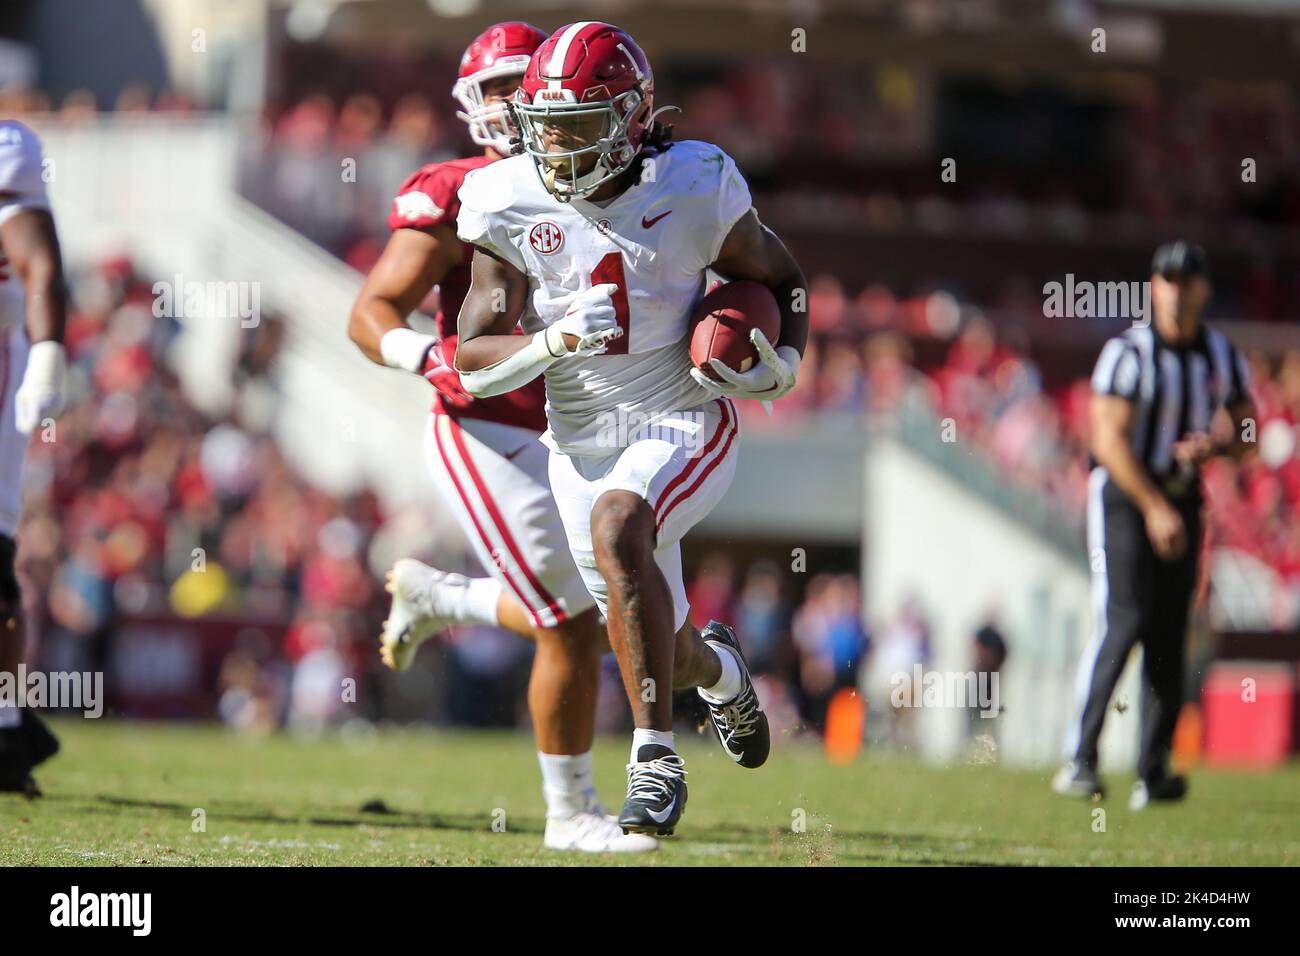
137,503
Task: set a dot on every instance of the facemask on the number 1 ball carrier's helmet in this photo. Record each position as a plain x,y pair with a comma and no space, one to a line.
601,129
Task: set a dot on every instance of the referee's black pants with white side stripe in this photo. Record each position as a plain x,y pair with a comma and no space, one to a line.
1137,598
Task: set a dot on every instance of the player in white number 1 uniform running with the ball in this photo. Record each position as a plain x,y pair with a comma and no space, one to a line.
599,237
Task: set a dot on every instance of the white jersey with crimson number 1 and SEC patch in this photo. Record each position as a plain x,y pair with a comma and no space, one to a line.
655,241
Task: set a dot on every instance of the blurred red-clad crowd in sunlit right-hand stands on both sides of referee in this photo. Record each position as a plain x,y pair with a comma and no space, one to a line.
863,361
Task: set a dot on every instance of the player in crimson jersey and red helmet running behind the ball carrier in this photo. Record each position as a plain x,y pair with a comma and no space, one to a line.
489,468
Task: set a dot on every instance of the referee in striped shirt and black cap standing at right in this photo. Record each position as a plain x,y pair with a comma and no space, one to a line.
1165,399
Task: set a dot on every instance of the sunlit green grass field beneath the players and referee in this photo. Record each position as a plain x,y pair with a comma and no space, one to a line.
125,794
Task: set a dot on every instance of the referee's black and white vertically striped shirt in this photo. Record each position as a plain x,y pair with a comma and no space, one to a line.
1176,390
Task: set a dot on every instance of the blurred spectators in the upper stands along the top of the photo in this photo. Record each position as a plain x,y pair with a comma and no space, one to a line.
857,145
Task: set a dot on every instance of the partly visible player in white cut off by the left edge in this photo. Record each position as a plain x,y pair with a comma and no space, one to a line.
33,367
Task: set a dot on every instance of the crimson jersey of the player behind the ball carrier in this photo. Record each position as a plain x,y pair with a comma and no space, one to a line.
431,198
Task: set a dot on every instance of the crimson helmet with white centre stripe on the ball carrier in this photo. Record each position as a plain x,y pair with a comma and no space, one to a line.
588,92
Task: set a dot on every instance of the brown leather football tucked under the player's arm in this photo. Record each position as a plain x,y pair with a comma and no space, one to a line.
722,322
